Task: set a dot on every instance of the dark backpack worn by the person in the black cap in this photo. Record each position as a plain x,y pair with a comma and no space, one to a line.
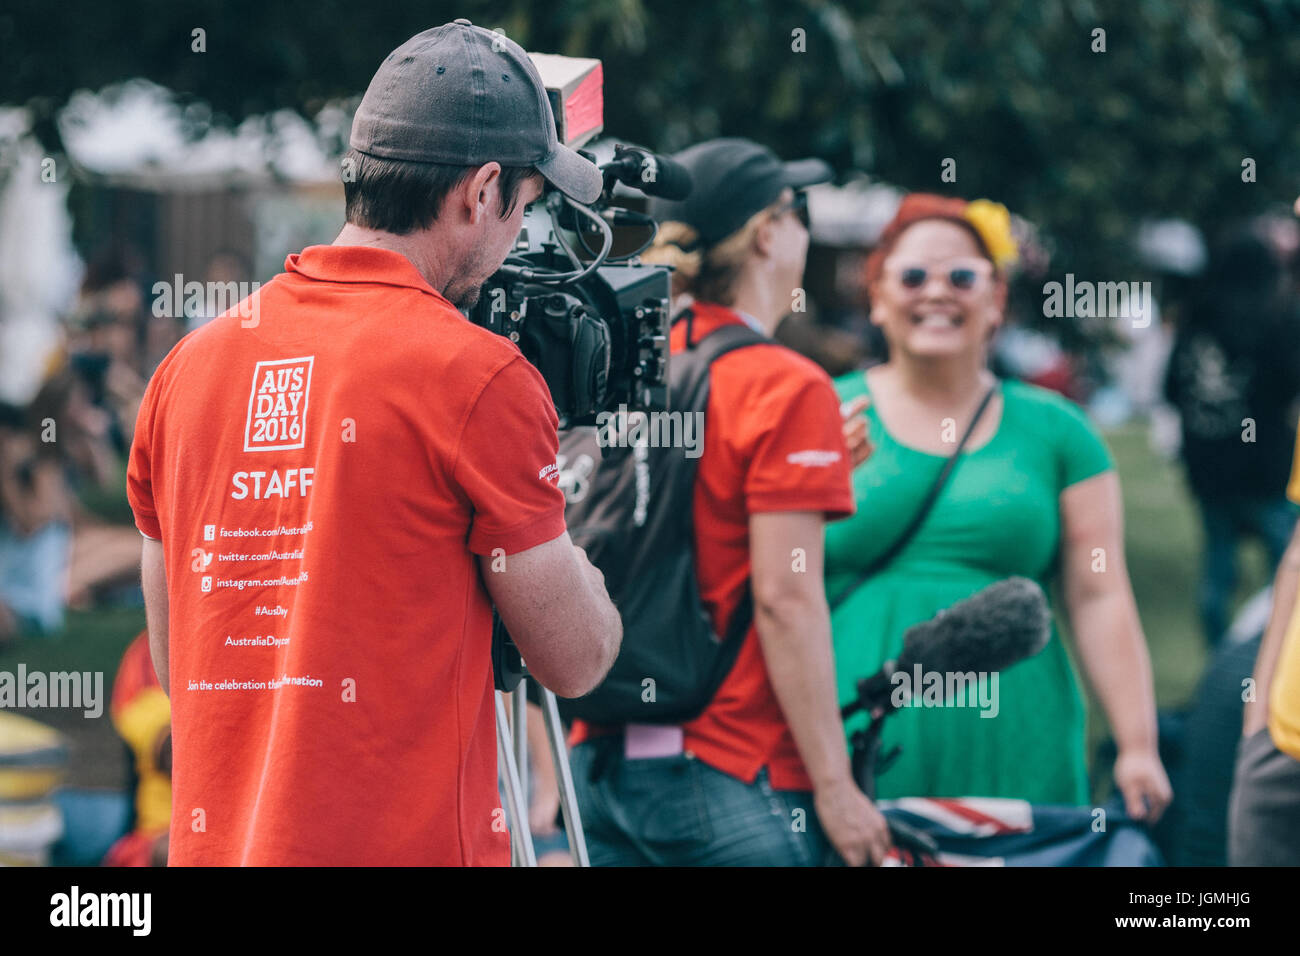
631,509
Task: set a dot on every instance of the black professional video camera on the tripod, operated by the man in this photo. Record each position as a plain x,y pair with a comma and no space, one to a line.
595,325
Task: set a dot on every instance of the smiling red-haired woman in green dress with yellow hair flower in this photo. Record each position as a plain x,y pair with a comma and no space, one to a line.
1034,494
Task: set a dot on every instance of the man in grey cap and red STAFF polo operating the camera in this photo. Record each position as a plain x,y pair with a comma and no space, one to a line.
336,482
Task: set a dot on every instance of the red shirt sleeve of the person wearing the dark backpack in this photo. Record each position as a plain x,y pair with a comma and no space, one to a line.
799,460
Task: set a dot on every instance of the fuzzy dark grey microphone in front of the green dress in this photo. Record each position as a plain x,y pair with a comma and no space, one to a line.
990,631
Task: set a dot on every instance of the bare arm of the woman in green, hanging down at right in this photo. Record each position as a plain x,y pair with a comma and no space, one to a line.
1110,638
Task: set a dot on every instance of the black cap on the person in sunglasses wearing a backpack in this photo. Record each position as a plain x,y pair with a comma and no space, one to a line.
734,180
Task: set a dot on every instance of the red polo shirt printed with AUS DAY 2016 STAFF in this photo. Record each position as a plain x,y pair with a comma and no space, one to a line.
322,466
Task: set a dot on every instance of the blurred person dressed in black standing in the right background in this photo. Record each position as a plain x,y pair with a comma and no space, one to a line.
1234,375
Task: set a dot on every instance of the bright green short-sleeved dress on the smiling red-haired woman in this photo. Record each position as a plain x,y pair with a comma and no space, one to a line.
998,517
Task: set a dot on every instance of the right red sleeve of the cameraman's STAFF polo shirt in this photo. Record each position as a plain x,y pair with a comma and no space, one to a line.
506,464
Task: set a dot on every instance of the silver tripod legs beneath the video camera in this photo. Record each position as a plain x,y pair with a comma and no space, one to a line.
513,755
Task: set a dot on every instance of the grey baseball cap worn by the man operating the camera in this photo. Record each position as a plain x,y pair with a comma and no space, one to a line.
463,96
